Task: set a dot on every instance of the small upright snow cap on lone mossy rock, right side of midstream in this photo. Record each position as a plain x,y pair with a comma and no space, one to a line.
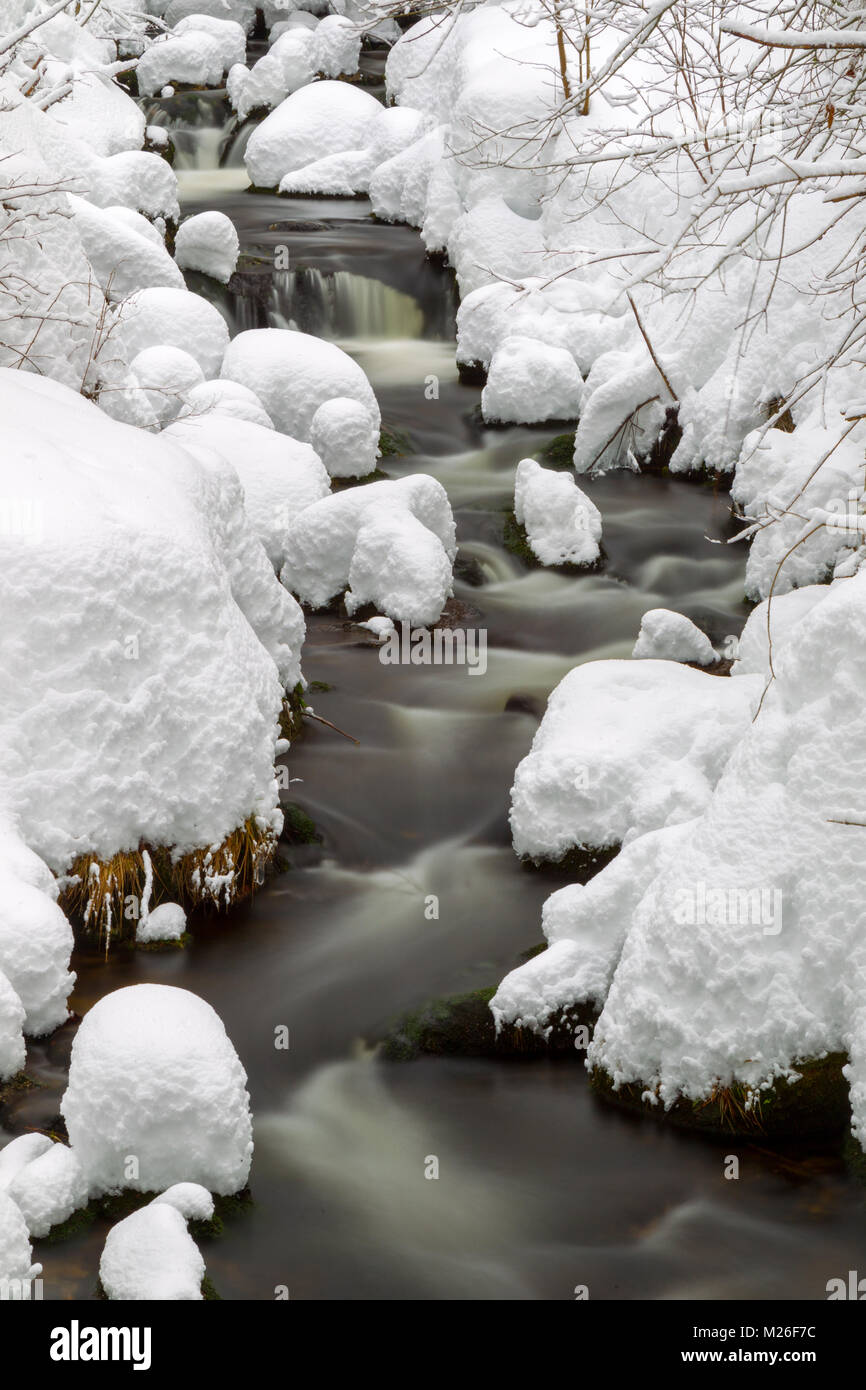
564,526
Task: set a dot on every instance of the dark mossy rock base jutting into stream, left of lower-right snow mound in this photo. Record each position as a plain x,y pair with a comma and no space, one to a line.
464,1027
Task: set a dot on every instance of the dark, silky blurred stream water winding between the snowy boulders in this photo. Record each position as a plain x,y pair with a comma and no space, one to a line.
541,1188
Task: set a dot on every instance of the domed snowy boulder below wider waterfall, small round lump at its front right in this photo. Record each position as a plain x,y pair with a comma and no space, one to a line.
294,375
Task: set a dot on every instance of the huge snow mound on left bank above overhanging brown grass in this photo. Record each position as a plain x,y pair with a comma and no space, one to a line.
148,630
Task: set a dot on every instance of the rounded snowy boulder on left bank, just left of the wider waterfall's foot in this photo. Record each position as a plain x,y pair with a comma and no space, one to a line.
173,319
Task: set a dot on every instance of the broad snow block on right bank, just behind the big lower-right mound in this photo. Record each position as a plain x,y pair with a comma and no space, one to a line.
625,749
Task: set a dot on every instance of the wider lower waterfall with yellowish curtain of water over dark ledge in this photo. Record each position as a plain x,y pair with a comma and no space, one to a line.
341,305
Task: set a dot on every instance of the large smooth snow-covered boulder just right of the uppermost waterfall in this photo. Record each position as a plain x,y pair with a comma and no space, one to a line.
320,119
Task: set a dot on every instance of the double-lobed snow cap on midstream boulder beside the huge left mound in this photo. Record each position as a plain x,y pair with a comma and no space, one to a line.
390,544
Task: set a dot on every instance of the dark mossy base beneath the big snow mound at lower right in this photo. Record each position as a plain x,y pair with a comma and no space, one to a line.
815,1106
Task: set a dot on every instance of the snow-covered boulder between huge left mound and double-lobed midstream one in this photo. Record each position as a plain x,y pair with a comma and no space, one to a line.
280,476
